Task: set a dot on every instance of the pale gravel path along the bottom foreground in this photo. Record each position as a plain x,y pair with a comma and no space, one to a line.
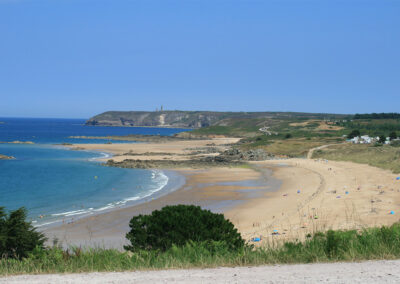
365,272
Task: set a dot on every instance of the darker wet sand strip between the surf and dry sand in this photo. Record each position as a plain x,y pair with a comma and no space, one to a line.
108,229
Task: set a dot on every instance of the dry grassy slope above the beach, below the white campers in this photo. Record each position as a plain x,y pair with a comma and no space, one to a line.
385,157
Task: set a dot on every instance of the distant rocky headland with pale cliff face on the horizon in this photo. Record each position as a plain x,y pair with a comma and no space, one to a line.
193,119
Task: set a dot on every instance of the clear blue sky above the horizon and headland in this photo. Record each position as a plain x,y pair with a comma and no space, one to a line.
77,58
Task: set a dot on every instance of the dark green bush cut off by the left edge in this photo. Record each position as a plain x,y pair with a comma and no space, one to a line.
17,236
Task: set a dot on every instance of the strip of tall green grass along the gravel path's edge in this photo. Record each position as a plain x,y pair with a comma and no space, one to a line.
368,244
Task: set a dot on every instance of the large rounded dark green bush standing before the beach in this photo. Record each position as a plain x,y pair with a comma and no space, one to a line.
178,225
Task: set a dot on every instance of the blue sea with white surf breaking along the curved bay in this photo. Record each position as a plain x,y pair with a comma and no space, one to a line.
56,184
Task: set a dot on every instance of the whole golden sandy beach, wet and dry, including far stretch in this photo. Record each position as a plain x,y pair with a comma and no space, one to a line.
274,199
